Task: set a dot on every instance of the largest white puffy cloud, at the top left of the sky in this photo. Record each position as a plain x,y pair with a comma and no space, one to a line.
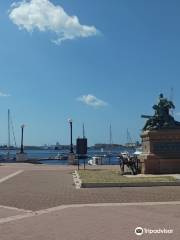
43,15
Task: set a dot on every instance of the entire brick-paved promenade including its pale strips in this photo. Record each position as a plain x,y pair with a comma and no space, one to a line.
41,202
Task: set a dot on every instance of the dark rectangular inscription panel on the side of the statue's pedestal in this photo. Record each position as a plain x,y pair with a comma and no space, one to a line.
167,148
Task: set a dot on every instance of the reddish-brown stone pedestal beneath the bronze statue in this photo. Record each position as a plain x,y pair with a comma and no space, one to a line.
161,151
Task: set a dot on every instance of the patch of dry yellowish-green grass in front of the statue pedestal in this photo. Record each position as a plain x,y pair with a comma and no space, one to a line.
113,176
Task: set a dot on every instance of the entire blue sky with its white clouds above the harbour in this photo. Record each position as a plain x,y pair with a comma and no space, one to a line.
127,53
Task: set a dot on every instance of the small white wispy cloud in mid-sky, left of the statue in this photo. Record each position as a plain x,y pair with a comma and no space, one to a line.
91,100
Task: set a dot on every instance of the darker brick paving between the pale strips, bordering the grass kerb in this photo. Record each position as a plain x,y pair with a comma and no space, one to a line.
41,189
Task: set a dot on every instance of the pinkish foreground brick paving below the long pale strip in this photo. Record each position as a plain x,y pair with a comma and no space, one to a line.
96,223
